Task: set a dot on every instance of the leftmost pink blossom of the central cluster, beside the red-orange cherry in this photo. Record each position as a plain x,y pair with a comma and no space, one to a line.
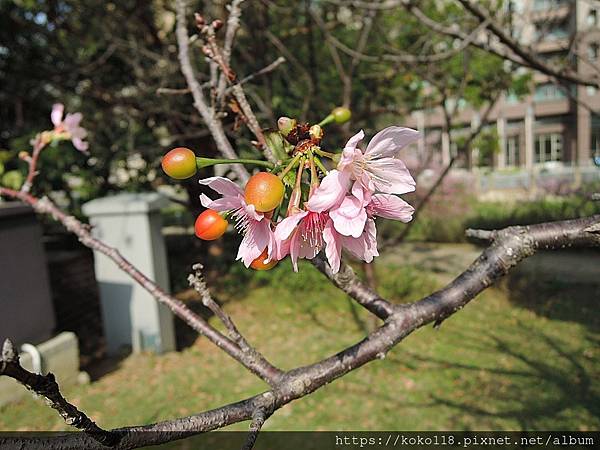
254,225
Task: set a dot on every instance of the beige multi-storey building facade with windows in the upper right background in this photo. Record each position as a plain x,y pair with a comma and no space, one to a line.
555,125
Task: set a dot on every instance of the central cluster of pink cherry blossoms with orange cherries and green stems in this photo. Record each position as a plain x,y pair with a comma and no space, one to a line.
299,208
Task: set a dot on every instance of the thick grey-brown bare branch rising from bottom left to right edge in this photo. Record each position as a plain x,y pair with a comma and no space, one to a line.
509,247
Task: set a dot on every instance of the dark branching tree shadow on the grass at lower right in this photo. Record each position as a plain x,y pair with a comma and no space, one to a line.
537,388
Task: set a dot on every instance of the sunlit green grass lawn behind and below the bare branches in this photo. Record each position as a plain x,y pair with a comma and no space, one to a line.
509,361
